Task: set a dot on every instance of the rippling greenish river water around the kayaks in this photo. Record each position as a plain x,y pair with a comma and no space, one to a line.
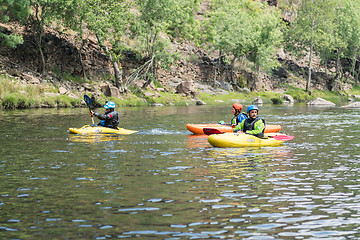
164,183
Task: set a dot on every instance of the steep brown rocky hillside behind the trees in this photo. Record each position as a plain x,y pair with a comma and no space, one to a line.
64,68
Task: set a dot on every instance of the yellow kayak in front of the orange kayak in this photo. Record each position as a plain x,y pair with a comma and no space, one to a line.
244,140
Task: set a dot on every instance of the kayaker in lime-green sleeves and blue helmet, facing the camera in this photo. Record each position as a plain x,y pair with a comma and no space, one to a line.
253,125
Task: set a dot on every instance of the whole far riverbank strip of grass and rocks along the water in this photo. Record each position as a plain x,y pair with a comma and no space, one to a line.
17,93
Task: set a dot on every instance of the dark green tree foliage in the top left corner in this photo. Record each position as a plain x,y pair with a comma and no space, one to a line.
9,11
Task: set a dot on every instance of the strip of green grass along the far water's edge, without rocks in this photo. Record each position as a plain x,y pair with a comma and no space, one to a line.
15,95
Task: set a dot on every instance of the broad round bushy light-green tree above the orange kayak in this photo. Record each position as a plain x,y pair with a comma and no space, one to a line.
244,29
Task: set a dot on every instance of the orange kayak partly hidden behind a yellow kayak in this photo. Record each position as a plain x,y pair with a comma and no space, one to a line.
198,128
